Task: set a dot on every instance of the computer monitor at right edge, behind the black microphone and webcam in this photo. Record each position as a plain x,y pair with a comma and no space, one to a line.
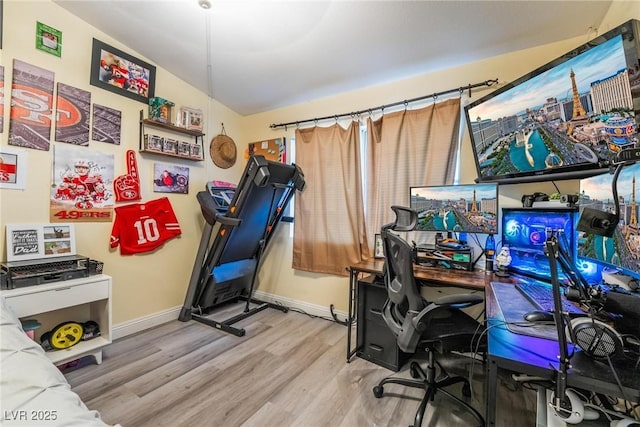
621,251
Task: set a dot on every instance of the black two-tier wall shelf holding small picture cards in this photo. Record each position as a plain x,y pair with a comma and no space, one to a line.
158,142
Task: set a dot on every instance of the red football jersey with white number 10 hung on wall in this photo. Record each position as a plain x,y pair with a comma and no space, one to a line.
143,227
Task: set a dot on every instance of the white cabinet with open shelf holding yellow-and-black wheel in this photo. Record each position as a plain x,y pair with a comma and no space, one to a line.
77,300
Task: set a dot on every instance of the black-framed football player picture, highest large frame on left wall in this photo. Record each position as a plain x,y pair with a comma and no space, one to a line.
121,73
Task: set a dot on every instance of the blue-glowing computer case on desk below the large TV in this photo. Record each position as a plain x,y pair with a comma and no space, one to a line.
525,232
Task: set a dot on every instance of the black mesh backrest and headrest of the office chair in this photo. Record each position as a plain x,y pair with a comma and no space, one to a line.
404,299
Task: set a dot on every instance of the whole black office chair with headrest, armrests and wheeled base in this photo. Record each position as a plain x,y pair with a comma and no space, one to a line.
418,325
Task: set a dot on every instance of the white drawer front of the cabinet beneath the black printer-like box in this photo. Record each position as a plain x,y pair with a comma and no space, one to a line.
60,297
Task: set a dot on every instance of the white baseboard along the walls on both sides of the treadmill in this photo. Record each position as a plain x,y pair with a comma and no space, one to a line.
146,322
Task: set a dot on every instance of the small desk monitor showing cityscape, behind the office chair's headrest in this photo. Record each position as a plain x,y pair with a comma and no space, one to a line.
471,208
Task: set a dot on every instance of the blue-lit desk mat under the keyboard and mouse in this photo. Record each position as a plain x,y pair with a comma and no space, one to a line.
513,306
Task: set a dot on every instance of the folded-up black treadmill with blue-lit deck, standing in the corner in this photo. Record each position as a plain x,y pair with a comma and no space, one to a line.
225,270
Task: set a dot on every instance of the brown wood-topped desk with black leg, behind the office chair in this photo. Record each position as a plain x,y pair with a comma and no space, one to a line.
475,280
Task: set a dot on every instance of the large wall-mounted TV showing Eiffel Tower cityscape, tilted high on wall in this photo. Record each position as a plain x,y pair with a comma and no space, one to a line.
564,120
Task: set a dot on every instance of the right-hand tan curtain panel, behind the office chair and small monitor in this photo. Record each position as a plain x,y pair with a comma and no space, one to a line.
409,148
